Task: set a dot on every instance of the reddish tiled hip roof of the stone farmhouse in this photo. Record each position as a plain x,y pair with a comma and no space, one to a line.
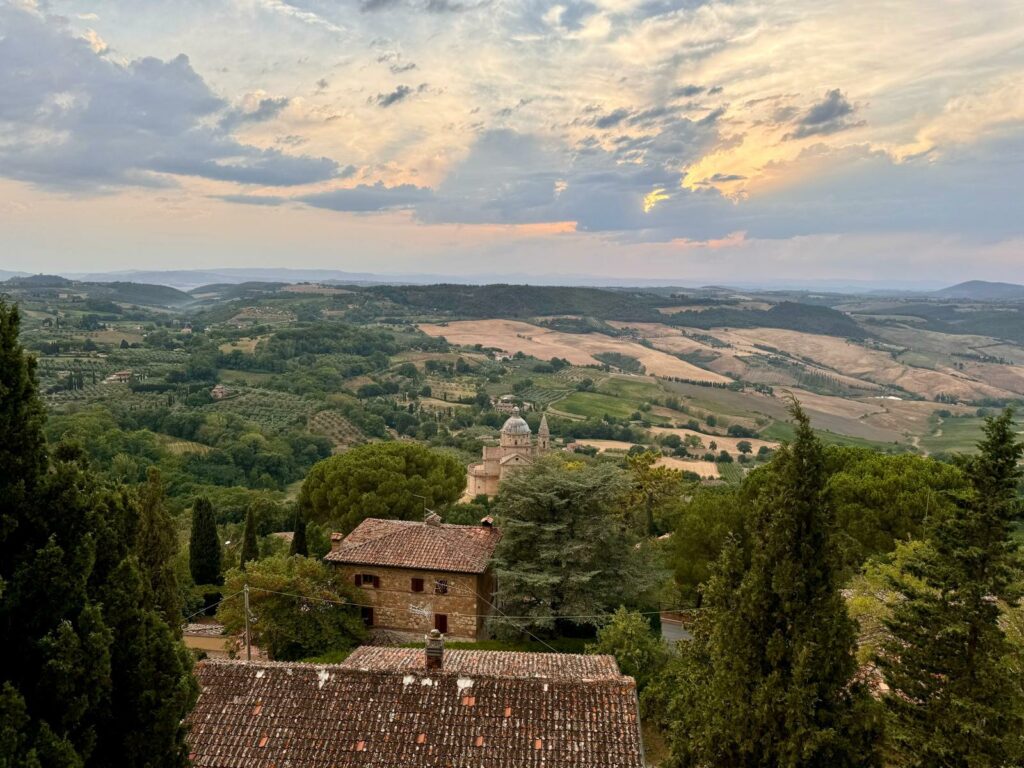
405,544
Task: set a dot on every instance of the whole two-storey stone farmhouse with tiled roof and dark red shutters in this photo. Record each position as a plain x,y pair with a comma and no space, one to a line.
417,577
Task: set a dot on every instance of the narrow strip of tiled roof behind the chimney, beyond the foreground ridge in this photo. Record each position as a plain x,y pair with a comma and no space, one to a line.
566,667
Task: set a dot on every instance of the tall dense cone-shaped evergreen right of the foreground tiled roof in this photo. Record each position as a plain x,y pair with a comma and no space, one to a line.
771,677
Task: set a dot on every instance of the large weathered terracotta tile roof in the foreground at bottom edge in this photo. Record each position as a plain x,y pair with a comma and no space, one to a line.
265,714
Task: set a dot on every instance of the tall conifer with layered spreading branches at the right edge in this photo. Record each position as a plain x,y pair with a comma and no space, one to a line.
952,702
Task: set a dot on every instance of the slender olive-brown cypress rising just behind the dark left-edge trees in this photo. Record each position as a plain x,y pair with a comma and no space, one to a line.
156,548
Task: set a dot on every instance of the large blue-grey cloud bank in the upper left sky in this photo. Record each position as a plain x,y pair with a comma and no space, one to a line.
75,119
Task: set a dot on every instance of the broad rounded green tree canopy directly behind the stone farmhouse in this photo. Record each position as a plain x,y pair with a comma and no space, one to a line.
394,481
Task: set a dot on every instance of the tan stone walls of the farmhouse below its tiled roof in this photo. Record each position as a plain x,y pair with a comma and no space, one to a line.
398,608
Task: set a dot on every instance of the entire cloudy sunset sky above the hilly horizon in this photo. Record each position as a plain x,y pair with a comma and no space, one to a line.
695,141
